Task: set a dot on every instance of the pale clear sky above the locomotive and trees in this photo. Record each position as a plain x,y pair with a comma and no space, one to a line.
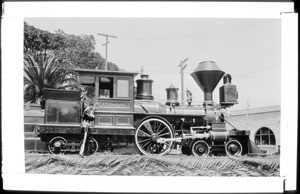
248,49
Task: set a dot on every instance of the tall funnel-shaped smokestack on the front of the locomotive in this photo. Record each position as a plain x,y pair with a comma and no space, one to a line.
207,75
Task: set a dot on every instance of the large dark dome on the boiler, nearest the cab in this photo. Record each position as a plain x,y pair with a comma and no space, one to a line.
144,88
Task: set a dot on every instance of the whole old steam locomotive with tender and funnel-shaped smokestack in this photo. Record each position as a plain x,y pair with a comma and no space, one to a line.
125,115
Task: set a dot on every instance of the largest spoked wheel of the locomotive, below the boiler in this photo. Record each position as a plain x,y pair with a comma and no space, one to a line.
147,134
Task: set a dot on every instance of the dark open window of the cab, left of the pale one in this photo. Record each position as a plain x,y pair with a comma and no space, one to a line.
106,87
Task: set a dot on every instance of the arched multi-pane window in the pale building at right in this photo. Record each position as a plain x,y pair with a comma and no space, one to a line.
265,136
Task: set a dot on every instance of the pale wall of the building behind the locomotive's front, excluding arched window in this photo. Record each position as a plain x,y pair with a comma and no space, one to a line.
254,119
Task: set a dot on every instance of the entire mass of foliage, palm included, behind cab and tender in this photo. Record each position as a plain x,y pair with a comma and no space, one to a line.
68,50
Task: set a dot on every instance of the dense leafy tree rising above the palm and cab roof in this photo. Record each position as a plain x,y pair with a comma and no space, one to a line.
79,50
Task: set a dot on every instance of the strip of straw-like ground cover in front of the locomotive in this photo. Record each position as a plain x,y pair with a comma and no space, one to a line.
152,165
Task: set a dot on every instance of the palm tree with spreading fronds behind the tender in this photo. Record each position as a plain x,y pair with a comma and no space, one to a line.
46,71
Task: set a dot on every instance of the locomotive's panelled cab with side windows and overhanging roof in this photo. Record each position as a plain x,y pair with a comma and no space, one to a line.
114,93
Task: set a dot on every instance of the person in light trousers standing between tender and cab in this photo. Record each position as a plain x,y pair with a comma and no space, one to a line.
88,117
